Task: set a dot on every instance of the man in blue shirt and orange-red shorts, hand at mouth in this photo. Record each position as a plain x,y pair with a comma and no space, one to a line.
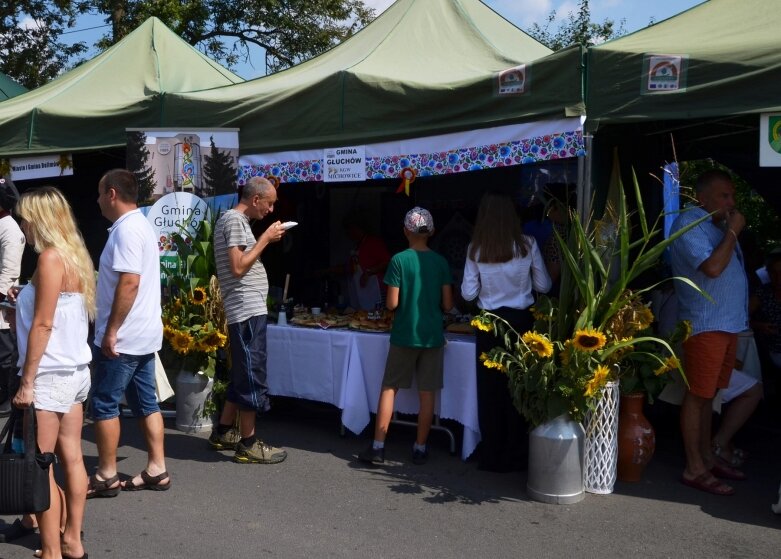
710,256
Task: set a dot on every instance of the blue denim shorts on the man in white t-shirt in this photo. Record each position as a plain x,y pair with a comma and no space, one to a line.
132,375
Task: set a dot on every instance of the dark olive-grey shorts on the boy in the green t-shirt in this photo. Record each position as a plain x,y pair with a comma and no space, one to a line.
425,364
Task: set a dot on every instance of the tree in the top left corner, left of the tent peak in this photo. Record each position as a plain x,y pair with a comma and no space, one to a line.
30,48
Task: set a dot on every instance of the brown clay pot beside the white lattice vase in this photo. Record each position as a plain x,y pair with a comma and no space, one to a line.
636,438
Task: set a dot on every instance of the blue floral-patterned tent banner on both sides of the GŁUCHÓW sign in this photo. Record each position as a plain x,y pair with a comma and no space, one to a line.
458,152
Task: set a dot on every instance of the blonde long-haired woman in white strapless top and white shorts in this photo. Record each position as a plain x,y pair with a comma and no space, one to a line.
52,315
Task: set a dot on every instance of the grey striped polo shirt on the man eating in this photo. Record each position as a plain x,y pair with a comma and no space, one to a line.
243,297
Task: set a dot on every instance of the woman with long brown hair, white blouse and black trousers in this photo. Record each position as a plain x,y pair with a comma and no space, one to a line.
503,269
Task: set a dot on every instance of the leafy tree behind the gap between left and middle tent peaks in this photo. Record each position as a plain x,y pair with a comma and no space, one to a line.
290,31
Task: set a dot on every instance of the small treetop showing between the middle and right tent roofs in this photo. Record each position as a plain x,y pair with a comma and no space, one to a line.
577,29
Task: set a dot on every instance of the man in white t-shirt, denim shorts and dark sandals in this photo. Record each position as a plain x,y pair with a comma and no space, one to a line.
128,332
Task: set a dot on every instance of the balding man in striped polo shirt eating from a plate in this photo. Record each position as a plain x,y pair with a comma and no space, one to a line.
244,287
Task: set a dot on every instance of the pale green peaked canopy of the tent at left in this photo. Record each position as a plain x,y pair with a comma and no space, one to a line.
89,107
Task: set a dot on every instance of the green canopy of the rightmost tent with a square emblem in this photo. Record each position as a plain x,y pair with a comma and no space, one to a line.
689,87
